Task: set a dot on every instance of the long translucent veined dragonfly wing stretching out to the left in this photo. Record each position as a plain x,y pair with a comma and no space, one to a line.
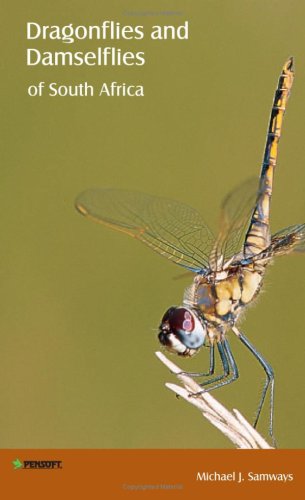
170,228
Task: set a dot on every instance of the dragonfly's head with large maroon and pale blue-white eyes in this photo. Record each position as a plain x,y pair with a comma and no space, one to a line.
181,331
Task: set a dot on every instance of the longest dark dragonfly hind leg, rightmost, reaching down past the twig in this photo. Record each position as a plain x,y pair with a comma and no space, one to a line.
268,382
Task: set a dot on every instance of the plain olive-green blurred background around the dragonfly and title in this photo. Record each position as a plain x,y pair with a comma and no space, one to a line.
80,304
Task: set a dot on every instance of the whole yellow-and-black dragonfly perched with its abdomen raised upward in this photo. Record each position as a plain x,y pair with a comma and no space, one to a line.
228,269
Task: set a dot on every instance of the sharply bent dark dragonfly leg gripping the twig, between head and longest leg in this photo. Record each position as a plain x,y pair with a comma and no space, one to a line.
230,371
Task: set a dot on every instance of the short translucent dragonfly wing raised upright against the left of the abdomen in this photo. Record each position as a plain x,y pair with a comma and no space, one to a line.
236,210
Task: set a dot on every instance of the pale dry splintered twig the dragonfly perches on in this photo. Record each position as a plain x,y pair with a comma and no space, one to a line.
231,424
